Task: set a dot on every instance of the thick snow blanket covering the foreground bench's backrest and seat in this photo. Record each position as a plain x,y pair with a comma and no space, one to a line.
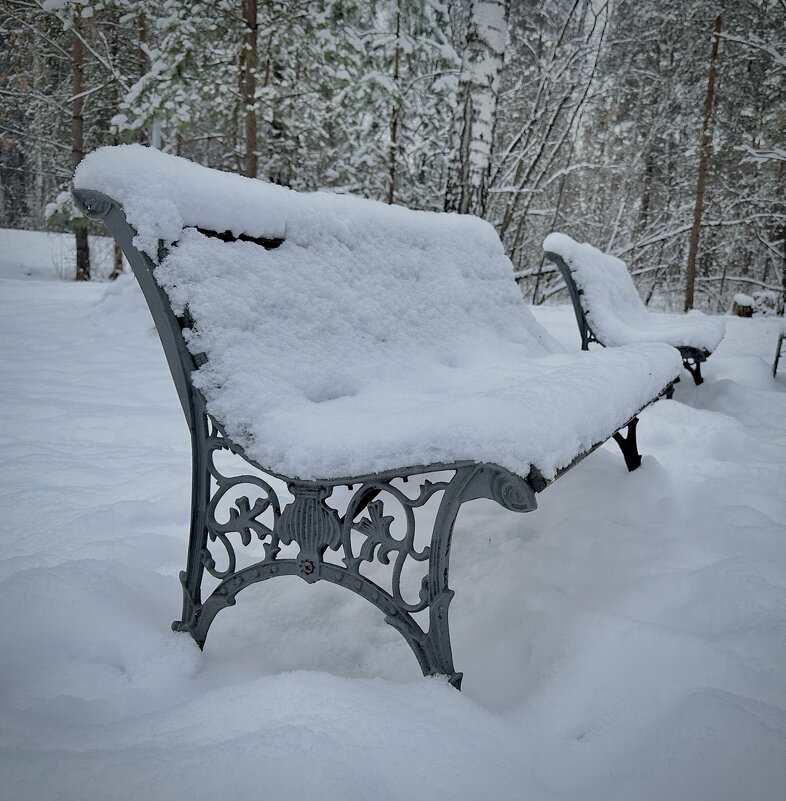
375,337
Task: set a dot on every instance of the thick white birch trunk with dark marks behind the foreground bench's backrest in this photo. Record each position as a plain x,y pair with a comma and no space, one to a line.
482,62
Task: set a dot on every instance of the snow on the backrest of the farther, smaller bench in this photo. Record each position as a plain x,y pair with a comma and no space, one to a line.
609,297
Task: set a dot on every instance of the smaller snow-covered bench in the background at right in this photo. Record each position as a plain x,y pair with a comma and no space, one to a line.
609,310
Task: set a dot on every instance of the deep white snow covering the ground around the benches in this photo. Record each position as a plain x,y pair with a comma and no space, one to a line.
624,641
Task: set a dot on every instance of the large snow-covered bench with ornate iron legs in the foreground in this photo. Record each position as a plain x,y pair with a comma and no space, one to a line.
330,341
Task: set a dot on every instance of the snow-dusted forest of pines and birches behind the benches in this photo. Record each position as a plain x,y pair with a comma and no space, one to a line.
655,129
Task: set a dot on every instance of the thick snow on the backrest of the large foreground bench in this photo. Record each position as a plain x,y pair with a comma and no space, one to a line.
358,297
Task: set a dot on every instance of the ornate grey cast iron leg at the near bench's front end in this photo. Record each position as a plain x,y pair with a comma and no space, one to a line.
312,525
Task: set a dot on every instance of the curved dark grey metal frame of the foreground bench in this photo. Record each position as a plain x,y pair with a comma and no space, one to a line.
308,520
